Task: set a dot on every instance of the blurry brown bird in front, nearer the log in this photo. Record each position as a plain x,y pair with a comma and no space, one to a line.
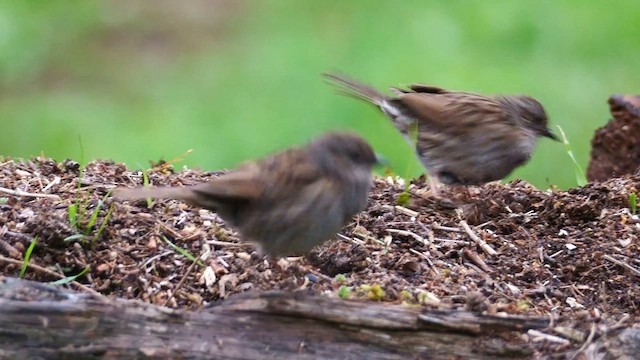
289,202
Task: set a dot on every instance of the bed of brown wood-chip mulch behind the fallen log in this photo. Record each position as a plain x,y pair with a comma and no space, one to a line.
569,254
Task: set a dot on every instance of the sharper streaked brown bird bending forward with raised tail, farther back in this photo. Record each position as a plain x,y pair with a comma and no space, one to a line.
461,138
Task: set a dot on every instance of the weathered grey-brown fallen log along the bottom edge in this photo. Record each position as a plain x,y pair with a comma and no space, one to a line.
40,321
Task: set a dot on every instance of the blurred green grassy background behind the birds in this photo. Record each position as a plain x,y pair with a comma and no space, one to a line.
235,80
